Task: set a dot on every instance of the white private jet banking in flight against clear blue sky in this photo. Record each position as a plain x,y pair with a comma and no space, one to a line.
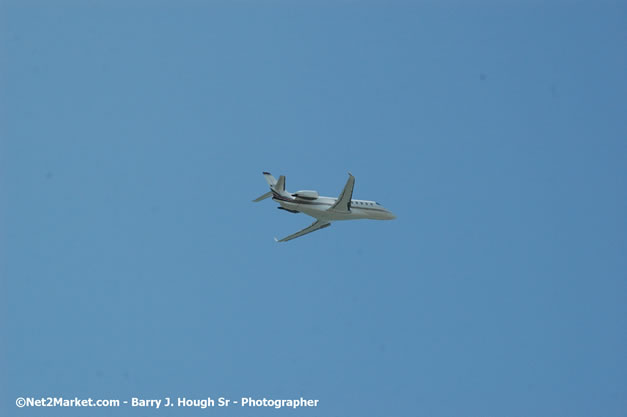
323,209
